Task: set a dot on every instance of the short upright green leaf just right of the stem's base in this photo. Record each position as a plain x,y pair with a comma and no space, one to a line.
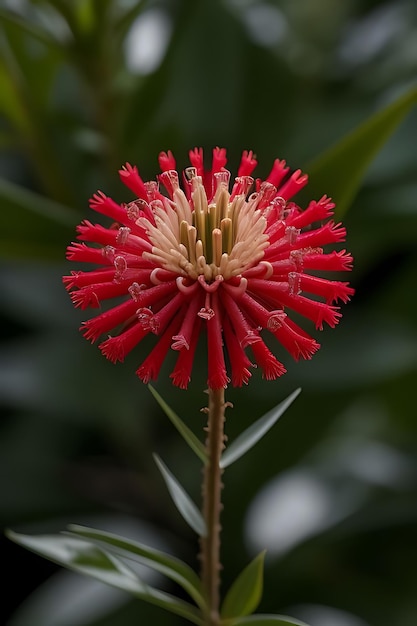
245,594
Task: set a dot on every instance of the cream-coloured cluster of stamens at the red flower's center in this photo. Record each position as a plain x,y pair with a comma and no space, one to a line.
225,237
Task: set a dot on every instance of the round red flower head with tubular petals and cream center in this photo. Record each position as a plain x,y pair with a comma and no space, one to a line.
230,260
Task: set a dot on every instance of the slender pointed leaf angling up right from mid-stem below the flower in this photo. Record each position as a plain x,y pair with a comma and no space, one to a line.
246,440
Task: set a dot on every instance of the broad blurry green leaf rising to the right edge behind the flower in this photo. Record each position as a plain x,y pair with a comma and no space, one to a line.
338,171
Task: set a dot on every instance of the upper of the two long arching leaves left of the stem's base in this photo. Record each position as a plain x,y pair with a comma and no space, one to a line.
173,568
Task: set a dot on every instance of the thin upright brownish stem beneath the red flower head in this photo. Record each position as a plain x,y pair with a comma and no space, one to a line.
212,486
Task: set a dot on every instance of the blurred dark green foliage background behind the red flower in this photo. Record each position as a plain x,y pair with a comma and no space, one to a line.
331,492
